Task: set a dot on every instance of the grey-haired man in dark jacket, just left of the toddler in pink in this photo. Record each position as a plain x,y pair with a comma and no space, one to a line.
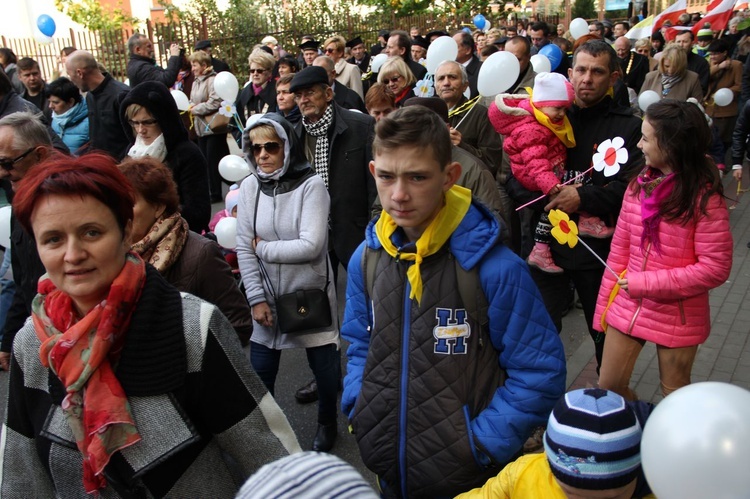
470,127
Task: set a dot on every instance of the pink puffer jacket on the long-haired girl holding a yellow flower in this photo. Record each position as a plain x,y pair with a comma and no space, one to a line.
667,301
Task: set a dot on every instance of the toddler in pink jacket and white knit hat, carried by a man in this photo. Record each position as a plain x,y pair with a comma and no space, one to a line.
537,134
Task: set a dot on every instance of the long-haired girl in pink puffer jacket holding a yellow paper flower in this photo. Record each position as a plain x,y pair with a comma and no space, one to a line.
672,244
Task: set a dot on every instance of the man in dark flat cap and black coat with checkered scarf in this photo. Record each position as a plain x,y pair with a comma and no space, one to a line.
338,143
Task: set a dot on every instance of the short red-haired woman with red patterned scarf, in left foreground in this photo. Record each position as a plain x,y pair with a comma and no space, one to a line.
120,385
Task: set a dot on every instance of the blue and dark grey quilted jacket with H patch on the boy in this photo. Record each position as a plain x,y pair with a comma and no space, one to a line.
438,404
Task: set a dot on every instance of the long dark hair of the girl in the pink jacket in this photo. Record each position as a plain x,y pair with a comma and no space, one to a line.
683,135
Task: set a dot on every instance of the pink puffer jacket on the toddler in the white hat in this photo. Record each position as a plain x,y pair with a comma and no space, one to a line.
537,156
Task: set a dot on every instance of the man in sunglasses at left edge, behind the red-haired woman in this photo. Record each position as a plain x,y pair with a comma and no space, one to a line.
24,143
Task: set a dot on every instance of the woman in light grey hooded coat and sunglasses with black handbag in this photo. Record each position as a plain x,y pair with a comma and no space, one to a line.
282,248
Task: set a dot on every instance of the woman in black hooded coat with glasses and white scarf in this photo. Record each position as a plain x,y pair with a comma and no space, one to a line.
152,122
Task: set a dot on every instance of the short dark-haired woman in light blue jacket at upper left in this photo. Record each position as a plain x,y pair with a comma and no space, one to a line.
70,114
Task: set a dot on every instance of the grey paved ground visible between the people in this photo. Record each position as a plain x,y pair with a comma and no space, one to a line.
724,357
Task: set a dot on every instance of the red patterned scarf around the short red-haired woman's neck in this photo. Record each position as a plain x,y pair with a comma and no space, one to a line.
81,353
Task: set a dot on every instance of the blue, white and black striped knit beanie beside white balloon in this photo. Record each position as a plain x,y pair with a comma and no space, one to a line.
593,440
